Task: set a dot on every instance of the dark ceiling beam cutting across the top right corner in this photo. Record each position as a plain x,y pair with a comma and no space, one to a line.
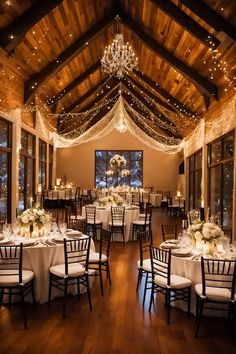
211,17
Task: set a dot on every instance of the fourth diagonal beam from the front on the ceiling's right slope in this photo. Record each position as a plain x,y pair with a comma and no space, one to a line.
156,113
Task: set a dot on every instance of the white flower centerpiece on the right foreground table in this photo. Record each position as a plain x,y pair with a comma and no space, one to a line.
206,232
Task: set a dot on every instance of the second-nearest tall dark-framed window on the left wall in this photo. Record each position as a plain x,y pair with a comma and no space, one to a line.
26,169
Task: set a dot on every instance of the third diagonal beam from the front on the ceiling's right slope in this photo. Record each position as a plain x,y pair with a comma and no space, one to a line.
177,105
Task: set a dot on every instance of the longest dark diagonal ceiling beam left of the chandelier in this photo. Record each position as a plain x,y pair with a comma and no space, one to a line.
65,57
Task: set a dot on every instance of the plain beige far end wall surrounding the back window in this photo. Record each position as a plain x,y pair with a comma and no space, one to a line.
77,163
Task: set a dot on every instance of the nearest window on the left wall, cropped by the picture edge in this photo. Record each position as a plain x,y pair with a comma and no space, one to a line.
5,167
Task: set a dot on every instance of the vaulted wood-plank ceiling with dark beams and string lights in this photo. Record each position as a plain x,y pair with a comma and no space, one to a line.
57,46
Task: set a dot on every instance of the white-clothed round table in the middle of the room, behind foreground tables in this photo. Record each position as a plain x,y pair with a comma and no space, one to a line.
104,214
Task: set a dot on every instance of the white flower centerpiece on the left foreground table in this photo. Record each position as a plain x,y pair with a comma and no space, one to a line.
34,216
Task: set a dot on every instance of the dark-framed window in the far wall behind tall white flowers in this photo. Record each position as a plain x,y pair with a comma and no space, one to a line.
134,163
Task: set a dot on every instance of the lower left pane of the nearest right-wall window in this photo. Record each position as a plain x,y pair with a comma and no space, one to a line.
215,190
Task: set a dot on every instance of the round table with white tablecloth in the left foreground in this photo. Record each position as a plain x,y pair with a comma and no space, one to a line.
39,259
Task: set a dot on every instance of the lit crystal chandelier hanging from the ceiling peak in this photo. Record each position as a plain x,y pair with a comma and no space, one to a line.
118,58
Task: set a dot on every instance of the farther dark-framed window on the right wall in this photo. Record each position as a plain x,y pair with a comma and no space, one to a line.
195,180
